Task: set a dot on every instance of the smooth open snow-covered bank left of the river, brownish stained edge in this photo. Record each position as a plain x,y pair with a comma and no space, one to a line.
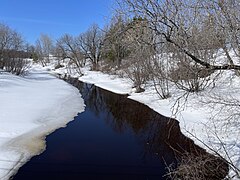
31,108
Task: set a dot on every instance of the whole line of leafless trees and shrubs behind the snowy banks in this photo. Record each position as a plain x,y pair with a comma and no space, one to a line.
188,34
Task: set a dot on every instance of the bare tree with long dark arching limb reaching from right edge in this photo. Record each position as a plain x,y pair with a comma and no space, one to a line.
174,22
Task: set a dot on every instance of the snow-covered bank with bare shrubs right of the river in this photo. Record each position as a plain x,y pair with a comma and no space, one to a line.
200,119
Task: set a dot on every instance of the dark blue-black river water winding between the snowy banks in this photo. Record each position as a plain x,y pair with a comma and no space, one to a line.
115,138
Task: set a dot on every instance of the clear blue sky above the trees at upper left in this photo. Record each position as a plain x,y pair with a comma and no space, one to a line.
54,17
